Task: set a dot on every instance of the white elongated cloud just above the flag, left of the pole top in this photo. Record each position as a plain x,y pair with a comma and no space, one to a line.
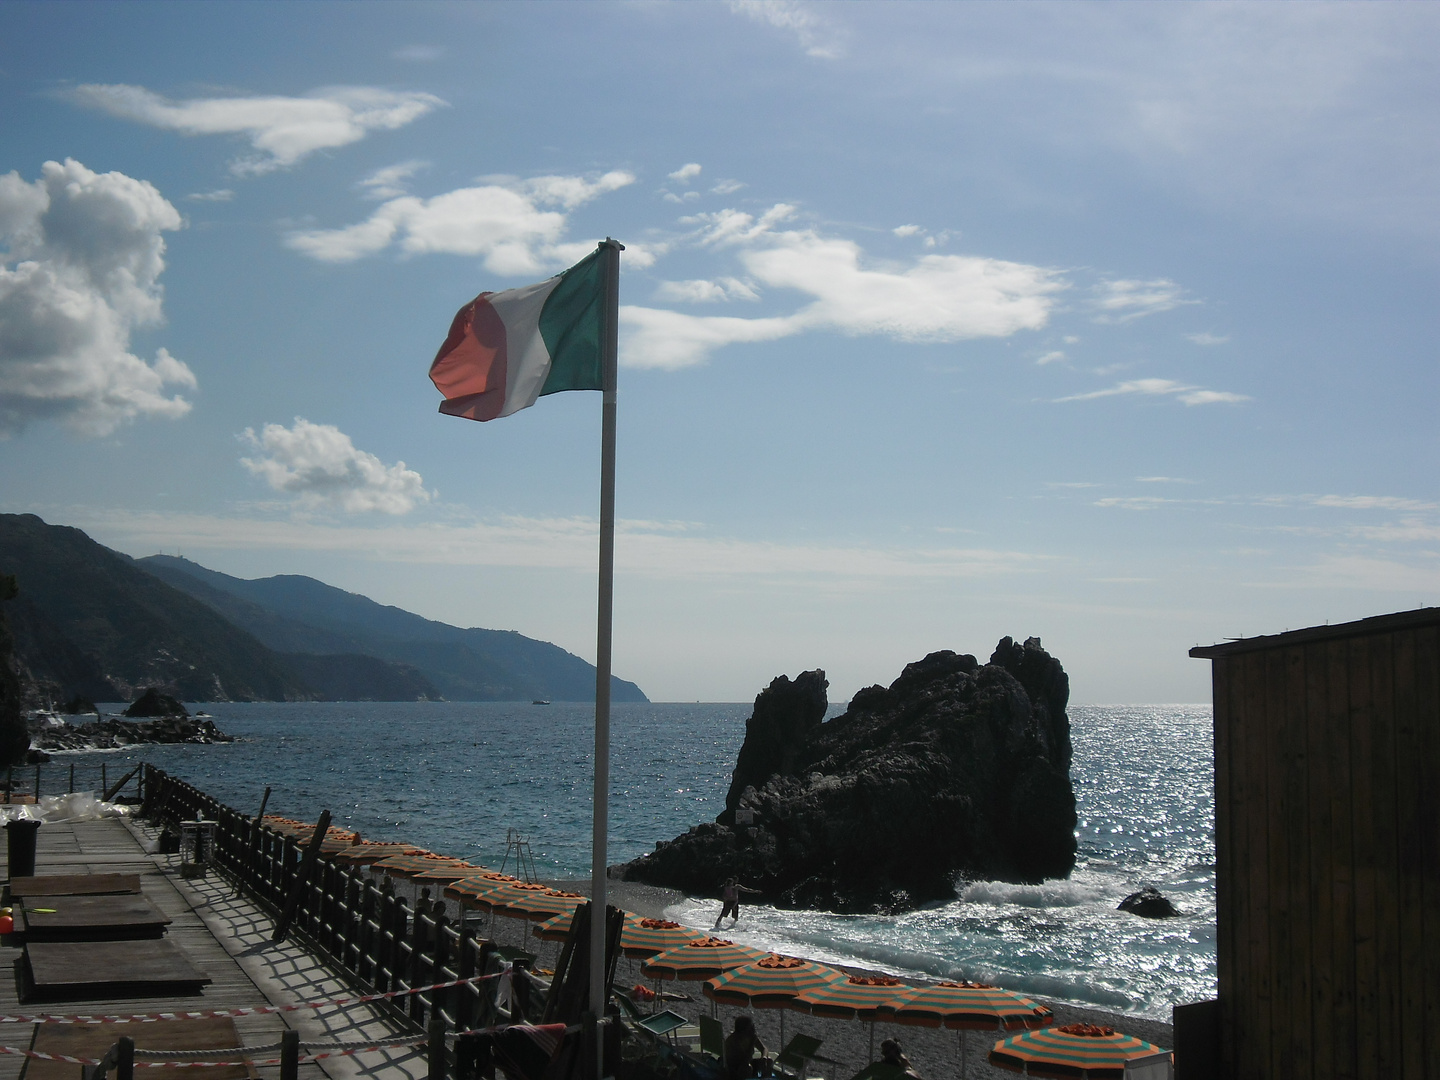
515,225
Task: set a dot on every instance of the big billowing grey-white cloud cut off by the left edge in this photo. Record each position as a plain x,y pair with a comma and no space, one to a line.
81,271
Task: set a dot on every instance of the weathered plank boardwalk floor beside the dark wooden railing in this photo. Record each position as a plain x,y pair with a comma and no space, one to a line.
227,938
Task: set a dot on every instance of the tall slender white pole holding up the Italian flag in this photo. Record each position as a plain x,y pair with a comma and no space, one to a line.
610,349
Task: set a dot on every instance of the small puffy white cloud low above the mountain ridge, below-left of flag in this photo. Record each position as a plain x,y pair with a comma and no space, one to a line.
320,466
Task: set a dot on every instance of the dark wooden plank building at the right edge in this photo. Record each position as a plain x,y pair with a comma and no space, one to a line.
1328,850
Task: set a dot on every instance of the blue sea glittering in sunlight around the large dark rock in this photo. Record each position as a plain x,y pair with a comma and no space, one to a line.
463,778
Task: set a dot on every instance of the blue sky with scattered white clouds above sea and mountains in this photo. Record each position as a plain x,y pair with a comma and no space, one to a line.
1111,325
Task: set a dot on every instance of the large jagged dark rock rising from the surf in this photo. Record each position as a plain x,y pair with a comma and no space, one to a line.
957,770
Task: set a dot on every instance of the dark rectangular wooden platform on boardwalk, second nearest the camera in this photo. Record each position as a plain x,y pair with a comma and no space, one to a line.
64,971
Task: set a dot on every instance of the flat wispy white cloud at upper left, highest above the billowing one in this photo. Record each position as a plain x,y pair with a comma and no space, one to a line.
283,130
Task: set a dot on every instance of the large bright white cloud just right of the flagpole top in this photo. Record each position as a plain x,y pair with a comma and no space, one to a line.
937,299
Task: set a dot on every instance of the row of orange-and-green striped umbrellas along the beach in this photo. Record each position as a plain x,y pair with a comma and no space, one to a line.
755,978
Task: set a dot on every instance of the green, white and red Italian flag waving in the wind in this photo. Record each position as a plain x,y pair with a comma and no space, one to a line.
508,349
